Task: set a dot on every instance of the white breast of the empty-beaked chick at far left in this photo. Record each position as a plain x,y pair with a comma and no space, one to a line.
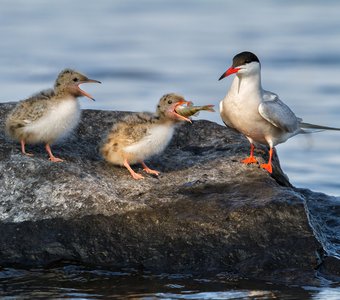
57,123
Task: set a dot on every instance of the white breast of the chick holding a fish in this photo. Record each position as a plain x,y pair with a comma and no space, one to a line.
156,140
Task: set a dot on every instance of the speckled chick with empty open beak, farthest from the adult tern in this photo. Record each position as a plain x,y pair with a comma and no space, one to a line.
49,115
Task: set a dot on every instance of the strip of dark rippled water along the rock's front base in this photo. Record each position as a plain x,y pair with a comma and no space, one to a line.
75,282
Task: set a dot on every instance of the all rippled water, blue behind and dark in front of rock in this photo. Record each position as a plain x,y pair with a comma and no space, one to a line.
143,49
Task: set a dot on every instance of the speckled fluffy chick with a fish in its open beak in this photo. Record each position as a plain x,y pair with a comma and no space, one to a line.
139,136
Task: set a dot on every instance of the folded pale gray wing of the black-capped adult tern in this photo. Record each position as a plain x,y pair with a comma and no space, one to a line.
277,113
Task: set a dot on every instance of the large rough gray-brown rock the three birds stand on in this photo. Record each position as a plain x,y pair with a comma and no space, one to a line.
206,212
